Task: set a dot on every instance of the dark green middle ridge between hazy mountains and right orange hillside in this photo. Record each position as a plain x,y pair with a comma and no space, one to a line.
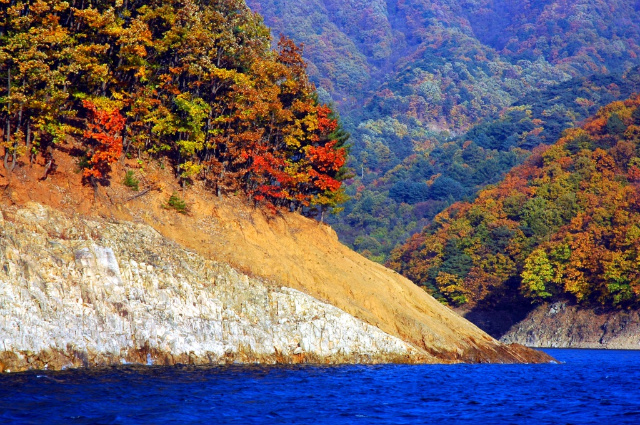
384,211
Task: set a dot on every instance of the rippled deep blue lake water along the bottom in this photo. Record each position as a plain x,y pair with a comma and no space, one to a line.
589,387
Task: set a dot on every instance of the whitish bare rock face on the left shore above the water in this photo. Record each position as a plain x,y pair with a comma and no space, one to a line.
99,291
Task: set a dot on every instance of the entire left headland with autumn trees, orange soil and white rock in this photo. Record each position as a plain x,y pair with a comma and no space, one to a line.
121,121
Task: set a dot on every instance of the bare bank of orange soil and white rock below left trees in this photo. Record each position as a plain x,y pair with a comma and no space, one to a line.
108,276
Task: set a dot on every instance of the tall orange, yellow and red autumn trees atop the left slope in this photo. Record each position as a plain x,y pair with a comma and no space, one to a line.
194,82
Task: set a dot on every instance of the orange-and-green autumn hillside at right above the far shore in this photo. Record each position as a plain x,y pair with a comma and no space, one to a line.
564,225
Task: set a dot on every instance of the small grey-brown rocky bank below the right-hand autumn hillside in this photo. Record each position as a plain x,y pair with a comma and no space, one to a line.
564,325
